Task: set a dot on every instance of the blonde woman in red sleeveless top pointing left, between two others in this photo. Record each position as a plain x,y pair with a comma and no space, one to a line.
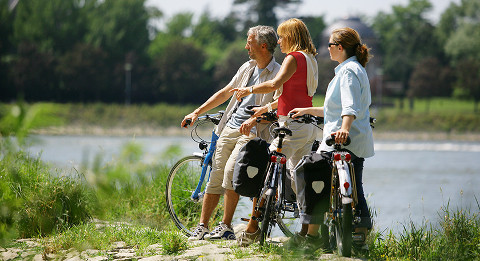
298,76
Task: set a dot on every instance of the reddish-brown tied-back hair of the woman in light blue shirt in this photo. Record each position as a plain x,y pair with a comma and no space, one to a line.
351,41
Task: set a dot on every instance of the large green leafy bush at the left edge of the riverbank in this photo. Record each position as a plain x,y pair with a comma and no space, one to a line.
35,202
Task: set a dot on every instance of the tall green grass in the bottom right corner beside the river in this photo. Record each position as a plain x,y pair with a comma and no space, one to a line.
457,237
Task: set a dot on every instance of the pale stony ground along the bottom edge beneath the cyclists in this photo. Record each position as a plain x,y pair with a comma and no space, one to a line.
38,249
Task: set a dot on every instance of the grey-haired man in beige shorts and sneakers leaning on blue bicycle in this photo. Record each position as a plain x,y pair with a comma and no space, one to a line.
236,128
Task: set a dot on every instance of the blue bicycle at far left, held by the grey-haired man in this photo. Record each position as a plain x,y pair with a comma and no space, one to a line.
186,182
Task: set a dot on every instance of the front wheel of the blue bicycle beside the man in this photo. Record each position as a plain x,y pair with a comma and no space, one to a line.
181,183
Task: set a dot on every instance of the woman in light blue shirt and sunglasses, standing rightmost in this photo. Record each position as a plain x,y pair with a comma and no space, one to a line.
346,110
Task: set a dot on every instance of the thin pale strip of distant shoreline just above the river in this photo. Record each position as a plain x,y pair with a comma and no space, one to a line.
140,131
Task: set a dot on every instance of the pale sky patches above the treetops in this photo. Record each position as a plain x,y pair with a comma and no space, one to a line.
331,10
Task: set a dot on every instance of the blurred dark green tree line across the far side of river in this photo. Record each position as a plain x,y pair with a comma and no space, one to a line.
113,51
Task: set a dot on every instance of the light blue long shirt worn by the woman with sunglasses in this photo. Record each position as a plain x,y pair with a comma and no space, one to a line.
349,94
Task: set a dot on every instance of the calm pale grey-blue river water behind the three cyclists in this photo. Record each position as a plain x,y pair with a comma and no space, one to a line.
405,180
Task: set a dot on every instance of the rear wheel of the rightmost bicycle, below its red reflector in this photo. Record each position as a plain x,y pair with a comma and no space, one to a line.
343,230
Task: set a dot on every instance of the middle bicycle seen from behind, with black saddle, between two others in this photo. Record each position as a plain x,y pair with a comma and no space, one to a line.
272,205
